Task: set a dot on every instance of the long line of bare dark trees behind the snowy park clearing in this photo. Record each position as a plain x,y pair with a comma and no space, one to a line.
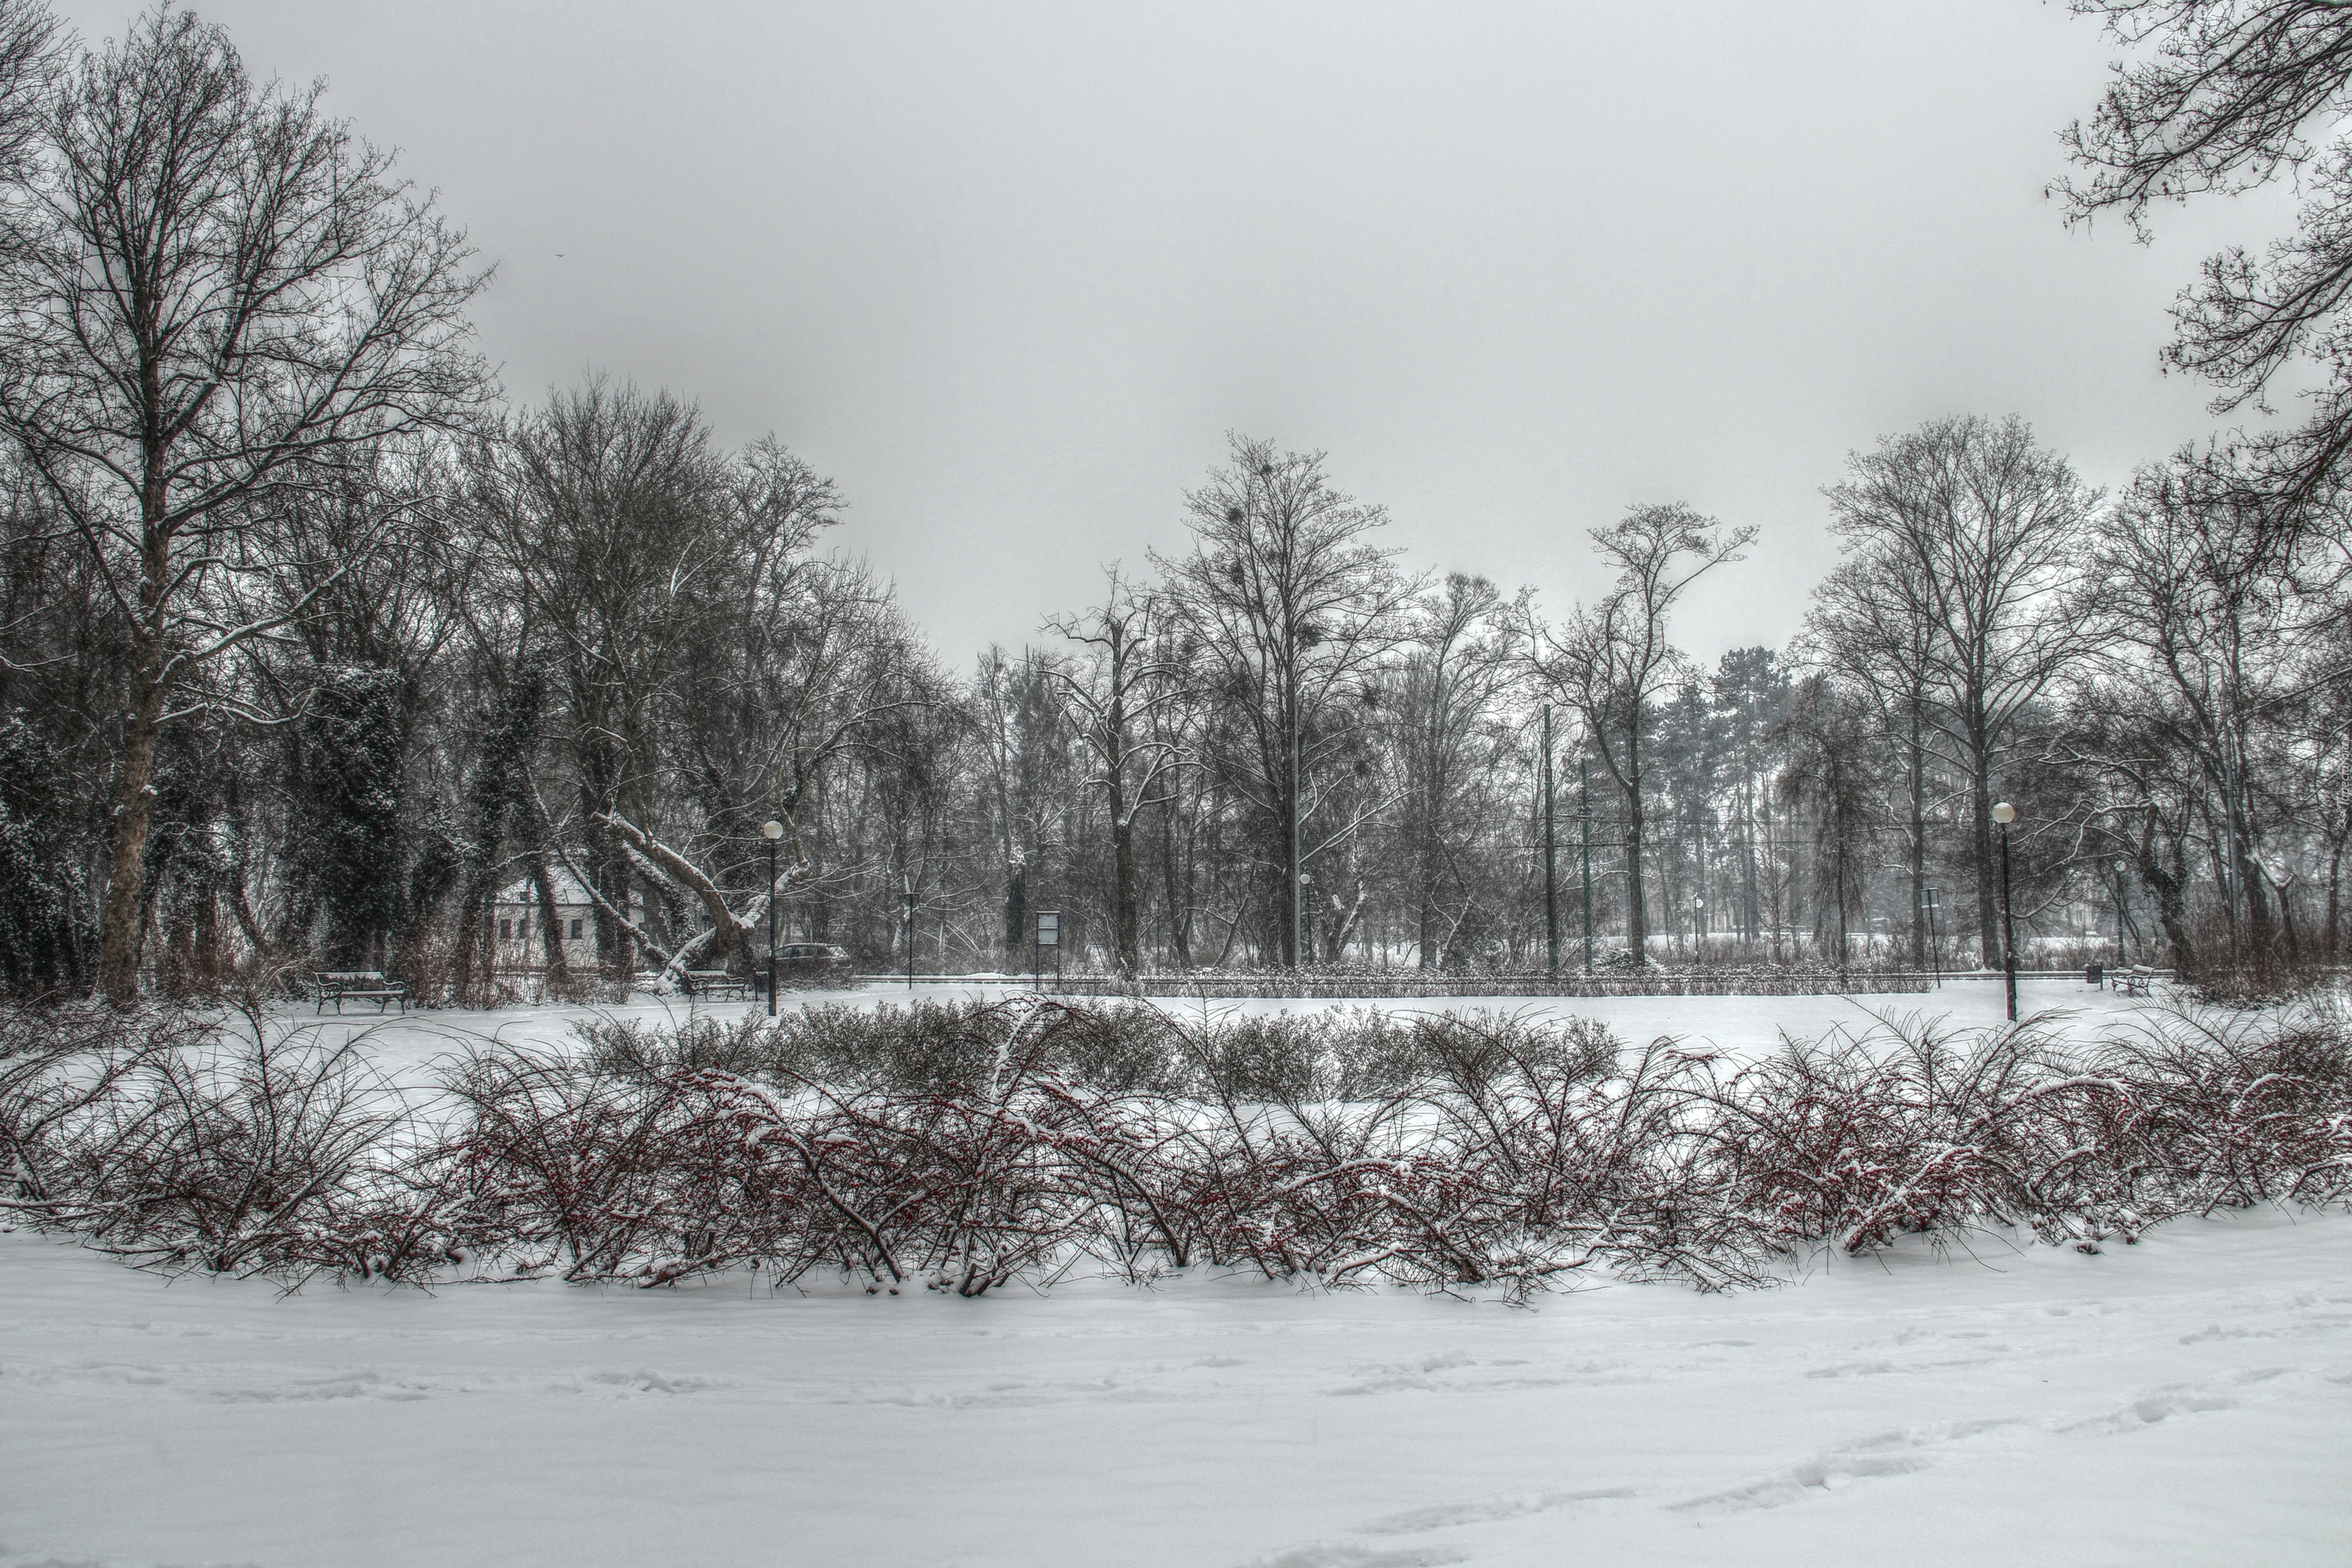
316,650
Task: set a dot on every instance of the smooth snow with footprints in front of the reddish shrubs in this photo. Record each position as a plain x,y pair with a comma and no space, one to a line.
2181,1402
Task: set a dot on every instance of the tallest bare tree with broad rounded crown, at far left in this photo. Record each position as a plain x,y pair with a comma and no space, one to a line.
220,293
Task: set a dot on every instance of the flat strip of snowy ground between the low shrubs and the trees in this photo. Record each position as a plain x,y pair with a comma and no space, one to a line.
1737,1026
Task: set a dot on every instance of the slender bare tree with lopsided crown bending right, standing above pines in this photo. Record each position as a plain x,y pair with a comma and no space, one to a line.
1612,662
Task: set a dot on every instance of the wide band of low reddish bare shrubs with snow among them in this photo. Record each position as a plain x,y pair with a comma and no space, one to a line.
970,1146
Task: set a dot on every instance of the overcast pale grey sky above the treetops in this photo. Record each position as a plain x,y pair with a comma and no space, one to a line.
1010,272
